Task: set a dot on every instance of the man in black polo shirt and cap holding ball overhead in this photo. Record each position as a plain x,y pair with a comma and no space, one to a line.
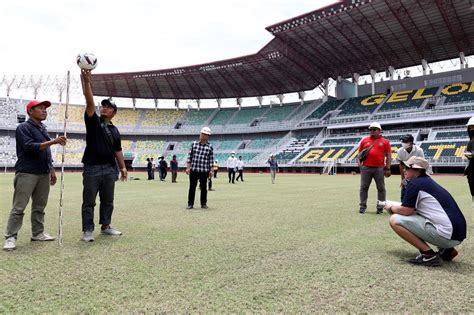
103,151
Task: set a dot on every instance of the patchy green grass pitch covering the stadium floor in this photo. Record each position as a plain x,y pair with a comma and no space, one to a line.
296,246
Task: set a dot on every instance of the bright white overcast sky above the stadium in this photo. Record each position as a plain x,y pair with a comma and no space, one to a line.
43,37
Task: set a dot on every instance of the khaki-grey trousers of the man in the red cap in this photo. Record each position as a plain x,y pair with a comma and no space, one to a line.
36,187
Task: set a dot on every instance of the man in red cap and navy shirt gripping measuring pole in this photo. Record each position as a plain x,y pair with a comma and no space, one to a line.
34,174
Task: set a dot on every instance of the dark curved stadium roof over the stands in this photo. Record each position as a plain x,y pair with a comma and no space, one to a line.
350,36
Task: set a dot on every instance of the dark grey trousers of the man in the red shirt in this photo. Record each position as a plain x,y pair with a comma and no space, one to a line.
366,175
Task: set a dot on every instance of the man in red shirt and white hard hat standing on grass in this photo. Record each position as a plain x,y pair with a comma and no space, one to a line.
376,165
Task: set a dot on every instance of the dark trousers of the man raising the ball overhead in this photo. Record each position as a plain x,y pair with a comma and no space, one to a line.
97,179
